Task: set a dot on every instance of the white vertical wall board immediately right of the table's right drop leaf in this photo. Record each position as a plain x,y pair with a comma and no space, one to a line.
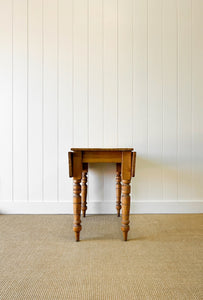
140,98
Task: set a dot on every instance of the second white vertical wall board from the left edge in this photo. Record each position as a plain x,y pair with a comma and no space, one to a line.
20,100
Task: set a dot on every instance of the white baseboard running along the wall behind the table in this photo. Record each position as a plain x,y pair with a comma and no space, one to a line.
139,207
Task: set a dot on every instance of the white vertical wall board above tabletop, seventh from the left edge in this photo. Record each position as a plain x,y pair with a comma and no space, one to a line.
95,73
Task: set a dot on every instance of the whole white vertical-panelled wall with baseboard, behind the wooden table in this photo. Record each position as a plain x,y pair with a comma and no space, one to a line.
126,73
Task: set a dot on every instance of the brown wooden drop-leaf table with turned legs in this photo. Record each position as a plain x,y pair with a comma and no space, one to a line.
78,169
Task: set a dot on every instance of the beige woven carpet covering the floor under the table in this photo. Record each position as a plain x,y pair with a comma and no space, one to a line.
39,258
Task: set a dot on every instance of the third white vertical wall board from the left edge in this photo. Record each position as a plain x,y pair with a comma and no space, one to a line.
35,100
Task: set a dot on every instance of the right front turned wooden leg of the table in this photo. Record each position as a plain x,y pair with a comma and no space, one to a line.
125,208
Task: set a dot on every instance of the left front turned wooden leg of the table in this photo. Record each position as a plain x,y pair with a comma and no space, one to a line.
77,208
